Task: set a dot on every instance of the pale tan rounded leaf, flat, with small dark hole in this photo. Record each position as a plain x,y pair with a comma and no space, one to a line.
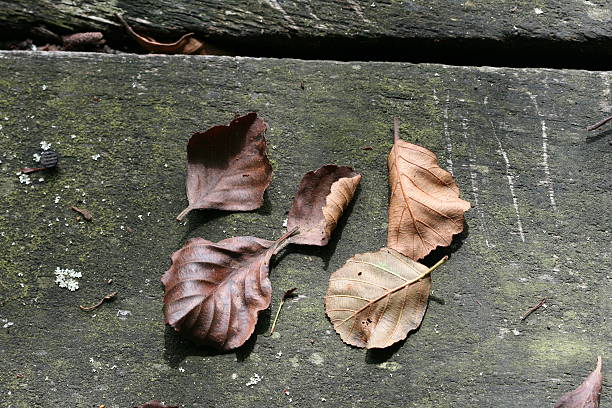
376,298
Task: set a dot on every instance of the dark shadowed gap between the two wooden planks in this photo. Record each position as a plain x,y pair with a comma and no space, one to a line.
523,52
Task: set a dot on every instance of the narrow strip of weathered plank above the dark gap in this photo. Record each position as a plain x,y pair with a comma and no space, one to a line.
573,21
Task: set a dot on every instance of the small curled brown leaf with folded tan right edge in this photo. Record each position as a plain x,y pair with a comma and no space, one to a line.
319,202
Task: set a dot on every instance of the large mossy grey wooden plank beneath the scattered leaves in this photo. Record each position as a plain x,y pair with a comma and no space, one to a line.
514,139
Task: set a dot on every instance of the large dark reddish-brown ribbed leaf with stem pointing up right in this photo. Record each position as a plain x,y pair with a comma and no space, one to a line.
214,291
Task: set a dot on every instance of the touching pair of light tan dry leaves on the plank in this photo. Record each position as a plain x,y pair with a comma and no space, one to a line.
377,298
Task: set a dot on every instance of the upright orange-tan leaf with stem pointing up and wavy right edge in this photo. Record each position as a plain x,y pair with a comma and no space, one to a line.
425,210
